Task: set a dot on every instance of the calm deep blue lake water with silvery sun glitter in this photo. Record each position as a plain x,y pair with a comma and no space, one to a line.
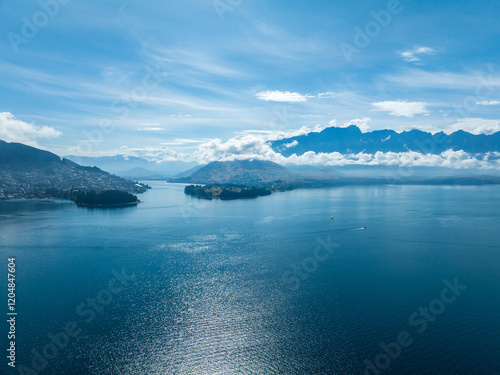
241,287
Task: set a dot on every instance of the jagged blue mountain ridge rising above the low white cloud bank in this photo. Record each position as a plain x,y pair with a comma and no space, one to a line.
352,140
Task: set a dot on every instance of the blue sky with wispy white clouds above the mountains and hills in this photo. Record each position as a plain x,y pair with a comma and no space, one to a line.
197,79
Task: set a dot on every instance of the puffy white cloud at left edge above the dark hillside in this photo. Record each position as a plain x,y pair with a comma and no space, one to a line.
14,130
